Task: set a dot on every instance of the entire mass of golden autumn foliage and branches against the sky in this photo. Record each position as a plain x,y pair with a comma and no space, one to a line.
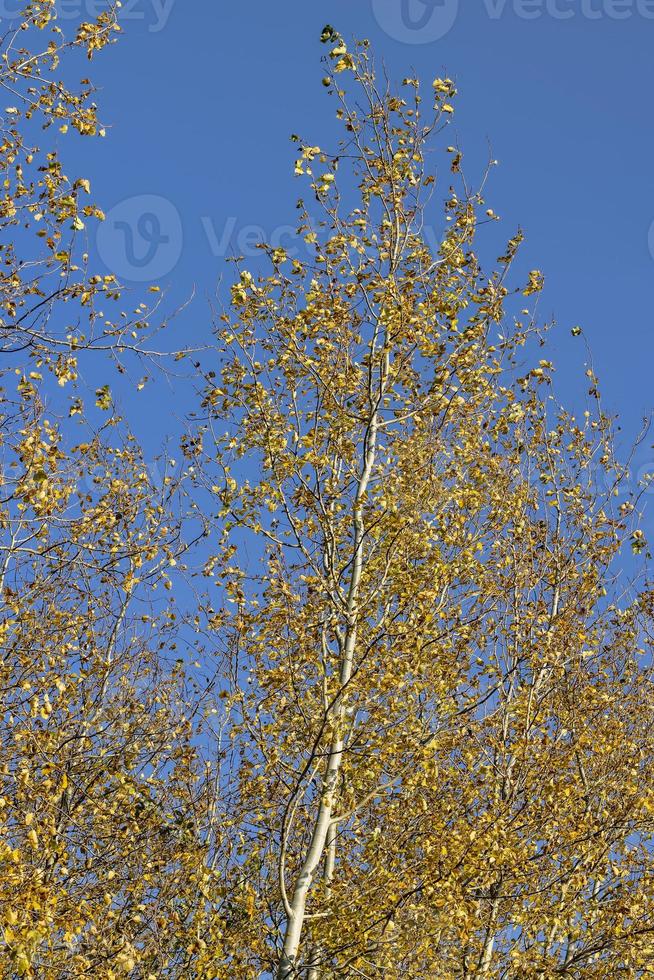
361,689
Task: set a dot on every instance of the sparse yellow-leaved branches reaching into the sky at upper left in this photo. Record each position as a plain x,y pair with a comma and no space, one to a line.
52,304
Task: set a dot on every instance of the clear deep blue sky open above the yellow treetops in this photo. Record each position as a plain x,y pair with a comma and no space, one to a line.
201,97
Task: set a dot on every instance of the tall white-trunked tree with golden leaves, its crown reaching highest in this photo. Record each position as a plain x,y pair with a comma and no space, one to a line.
441,686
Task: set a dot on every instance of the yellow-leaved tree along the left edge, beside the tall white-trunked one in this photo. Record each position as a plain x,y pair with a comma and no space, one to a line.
107,810
